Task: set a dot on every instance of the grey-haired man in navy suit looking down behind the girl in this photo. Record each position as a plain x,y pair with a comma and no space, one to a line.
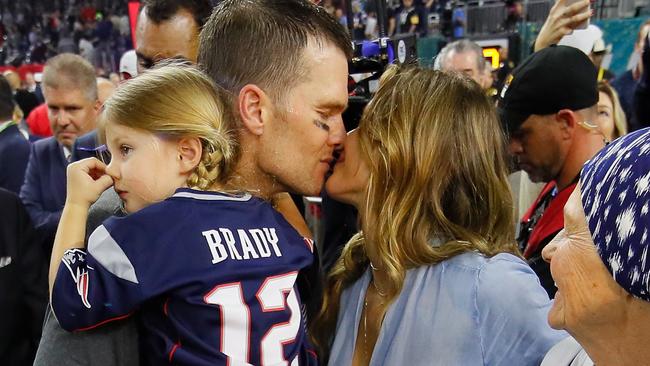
70,90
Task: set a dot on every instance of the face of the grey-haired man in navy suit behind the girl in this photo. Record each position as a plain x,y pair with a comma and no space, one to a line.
71,113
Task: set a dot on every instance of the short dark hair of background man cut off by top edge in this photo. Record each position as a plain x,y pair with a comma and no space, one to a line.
162,10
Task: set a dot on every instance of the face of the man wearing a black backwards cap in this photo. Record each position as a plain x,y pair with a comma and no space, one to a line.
537,149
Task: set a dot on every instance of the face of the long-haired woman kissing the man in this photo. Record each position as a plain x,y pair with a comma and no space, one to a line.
349,180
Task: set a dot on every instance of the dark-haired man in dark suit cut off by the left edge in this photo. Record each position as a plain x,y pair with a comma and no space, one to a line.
14,147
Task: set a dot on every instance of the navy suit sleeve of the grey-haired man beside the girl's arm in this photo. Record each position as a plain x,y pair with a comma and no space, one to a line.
32,197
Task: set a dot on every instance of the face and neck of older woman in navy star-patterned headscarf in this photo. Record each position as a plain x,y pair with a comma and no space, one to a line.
587,294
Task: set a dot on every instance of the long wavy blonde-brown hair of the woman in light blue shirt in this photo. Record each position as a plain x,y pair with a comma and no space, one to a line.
438,183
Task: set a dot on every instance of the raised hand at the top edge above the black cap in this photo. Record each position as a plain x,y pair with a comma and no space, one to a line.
562,20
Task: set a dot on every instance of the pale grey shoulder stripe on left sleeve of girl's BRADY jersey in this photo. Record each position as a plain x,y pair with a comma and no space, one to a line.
109,254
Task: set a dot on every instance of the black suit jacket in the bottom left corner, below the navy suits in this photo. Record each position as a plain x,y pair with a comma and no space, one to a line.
23,283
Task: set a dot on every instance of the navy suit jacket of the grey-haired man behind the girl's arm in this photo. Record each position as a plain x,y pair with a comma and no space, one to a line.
44,189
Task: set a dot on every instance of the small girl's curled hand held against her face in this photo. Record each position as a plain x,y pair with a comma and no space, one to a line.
87,179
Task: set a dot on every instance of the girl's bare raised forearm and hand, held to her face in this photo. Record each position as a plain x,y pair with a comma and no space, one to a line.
86,180
